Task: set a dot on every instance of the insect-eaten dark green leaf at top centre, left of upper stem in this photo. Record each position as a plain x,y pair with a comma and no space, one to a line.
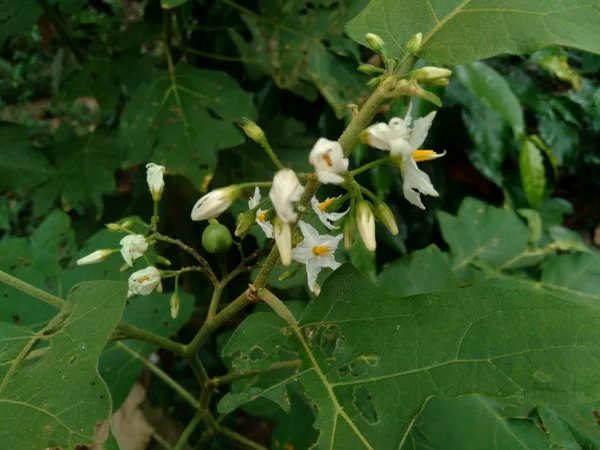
300,44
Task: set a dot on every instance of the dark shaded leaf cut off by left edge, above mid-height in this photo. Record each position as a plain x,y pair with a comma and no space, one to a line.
21,166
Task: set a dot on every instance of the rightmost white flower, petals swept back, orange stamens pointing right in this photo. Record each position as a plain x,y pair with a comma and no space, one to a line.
403,142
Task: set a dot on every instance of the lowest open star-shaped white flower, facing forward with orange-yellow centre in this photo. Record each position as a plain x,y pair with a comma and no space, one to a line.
316,251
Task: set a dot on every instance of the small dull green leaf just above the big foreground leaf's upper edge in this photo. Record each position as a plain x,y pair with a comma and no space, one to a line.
423,271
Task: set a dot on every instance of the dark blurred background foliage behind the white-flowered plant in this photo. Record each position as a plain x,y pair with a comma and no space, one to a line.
92,90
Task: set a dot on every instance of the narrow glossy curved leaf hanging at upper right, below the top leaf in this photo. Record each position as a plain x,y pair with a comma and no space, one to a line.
494,91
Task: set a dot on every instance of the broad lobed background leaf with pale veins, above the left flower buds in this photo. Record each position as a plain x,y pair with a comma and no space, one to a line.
170,121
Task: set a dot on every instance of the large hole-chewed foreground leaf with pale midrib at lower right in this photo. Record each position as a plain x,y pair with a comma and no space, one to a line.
371,360
